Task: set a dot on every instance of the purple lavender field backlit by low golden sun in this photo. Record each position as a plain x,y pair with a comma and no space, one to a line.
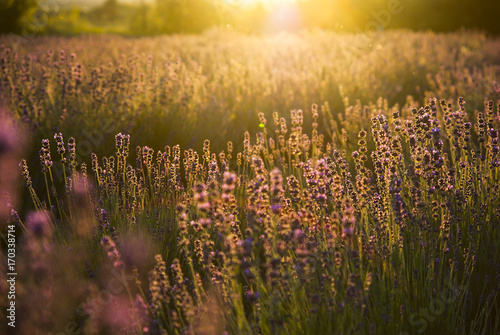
223,183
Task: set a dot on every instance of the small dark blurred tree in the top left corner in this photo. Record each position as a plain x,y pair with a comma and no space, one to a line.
12,13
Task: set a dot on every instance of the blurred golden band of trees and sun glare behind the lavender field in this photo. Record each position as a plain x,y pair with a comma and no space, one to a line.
151,17
